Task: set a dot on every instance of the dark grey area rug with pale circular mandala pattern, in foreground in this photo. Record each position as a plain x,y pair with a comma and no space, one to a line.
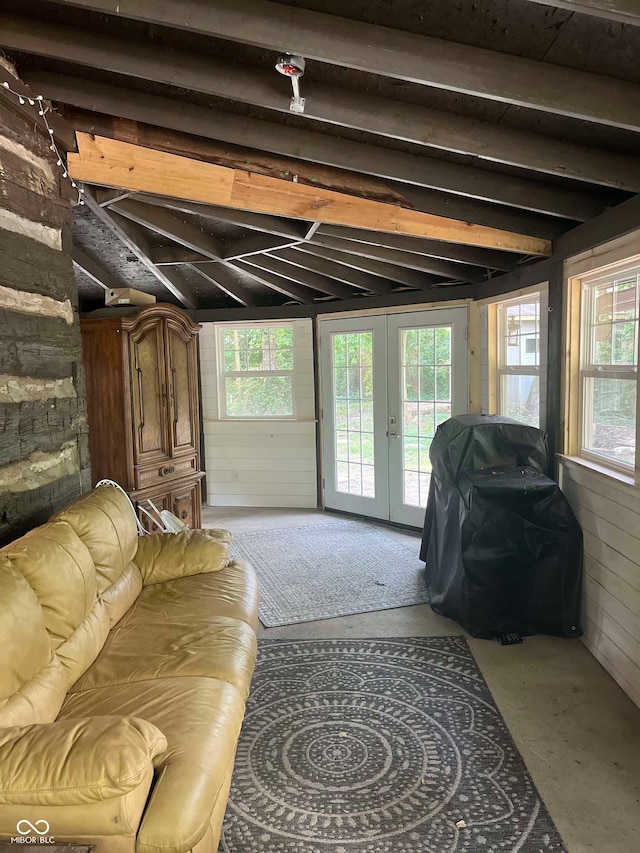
379,746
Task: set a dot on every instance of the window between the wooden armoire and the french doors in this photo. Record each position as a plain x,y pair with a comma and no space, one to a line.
257,375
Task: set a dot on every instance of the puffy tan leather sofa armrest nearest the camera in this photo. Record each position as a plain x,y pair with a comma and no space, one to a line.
76,761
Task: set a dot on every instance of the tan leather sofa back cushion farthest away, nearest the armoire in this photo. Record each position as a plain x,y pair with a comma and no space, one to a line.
105,521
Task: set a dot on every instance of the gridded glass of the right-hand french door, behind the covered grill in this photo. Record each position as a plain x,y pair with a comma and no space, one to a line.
425,363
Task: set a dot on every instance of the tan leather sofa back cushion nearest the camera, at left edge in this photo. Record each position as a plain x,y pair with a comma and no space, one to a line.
24,643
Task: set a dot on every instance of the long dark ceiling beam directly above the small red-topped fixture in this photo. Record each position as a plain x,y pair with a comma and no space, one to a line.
396,54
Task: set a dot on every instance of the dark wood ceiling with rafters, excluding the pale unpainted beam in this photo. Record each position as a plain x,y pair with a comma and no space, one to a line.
521,115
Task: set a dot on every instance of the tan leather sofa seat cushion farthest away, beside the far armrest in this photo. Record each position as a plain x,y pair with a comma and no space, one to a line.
232,592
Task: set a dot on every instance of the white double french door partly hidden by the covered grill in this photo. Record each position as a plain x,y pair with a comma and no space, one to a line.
387,382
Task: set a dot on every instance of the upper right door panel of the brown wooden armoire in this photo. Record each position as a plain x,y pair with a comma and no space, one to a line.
182,379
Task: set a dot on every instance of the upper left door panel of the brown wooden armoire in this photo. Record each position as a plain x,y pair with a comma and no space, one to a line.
150,428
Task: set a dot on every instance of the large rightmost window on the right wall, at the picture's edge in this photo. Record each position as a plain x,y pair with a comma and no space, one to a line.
609,367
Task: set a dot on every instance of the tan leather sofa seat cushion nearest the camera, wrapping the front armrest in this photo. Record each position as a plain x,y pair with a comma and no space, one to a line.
201,719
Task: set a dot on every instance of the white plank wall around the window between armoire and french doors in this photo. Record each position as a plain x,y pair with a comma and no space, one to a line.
261,463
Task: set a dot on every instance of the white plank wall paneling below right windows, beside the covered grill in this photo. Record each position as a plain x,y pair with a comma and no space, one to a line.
609,514
